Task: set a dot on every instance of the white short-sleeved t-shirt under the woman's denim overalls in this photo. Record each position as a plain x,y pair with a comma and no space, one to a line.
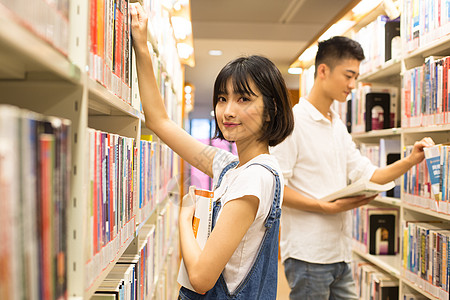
238,182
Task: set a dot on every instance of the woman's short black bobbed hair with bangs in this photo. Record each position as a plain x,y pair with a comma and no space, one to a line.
268,79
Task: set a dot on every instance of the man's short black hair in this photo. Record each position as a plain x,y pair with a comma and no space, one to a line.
335,49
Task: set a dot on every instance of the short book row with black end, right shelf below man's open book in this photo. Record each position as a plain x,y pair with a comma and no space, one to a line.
375,229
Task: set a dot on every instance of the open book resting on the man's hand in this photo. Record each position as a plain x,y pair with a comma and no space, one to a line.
359,188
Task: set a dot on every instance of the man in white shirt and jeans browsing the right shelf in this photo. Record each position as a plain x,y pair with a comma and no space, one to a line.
318,159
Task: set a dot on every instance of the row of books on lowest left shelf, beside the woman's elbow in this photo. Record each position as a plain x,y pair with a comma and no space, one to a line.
148,267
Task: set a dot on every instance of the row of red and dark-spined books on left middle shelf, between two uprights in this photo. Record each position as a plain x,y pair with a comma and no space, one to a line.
111,197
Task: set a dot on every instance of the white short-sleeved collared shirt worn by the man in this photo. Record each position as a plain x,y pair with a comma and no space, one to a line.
318,159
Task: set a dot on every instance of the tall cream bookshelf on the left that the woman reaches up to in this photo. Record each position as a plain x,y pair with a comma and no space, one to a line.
45,68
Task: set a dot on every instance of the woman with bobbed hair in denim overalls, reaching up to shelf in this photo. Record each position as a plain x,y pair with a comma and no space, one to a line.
252,109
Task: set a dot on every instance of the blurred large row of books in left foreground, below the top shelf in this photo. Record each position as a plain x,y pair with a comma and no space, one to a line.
35,167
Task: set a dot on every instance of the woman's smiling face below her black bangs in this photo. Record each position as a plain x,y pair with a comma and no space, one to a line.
240,116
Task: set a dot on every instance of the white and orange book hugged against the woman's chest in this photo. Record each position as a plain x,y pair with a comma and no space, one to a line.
202,226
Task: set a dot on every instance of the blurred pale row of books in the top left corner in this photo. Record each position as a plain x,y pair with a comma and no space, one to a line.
47,19
